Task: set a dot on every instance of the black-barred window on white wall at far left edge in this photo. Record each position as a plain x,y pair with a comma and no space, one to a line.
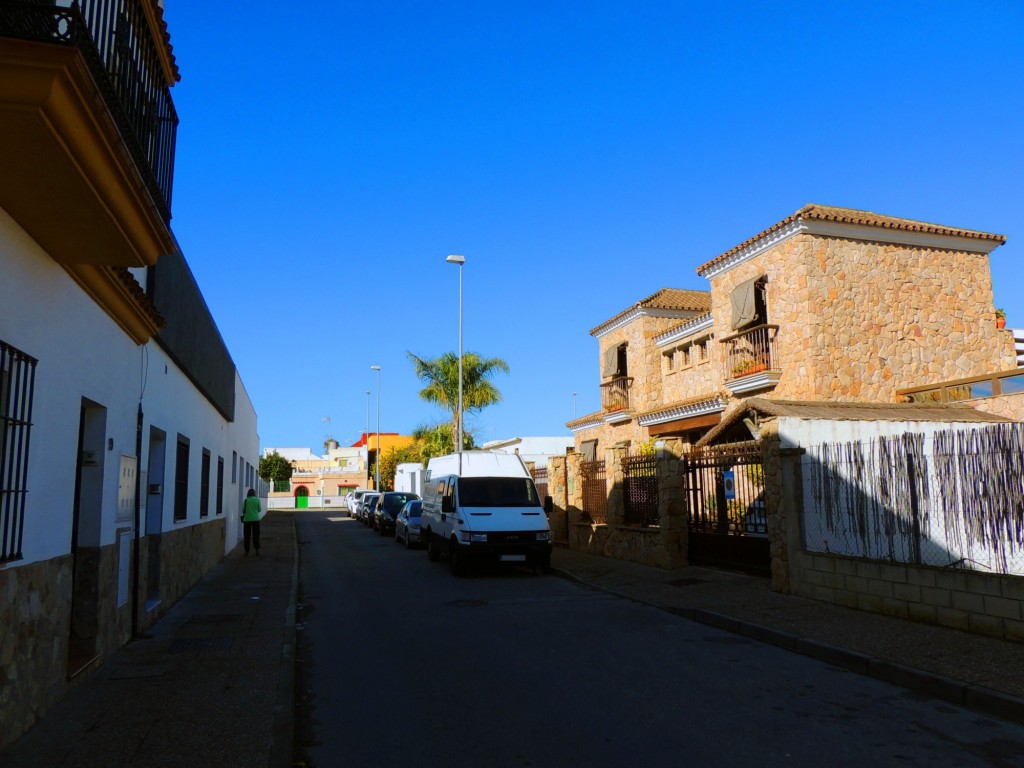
18,378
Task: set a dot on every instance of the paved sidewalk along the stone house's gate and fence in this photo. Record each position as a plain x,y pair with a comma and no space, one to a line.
972,671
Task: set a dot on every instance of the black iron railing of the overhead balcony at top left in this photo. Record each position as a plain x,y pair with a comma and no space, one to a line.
115,41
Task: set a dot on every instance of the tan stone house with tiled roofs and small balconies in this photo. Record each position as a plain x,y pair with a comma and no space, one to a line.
828,305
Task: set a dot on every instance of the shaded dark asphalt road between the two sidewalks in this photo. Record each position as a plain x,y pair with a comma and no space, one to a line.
401,664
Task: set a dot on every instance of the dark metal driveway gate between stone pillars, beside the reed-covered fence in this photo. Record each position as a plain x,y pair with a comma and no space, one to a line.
726,495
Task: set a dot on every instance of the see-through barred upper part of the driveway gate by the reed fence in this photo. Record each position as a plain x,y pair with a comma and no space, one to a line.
726,490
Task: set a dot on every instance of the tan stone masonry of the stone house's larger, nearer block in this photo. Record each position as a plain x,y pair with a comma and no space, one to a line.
859,320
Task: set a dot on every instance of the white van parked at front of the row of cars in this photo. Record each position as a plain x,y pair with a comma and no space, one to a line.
482,505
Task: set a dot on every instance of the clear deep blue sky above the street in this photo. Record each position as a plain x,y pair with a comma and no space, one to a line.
581,156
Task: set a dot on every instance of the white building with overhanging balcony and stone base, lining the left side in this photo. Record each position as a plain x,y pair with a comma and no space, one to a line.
129,440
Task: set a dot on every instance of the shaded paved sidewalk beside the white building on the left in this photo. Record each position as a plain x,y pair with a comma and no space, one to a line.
210,685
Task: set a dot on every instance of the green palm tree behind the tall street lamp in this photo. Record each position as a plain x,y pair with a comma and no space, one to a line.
442,378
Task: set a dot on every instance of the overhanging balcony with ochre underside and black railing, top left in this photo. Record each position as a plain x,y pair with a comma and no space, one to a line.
87,166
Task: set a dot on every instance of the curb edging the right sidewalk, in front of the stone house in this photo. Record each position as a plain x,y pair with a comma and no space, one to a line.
968,696
